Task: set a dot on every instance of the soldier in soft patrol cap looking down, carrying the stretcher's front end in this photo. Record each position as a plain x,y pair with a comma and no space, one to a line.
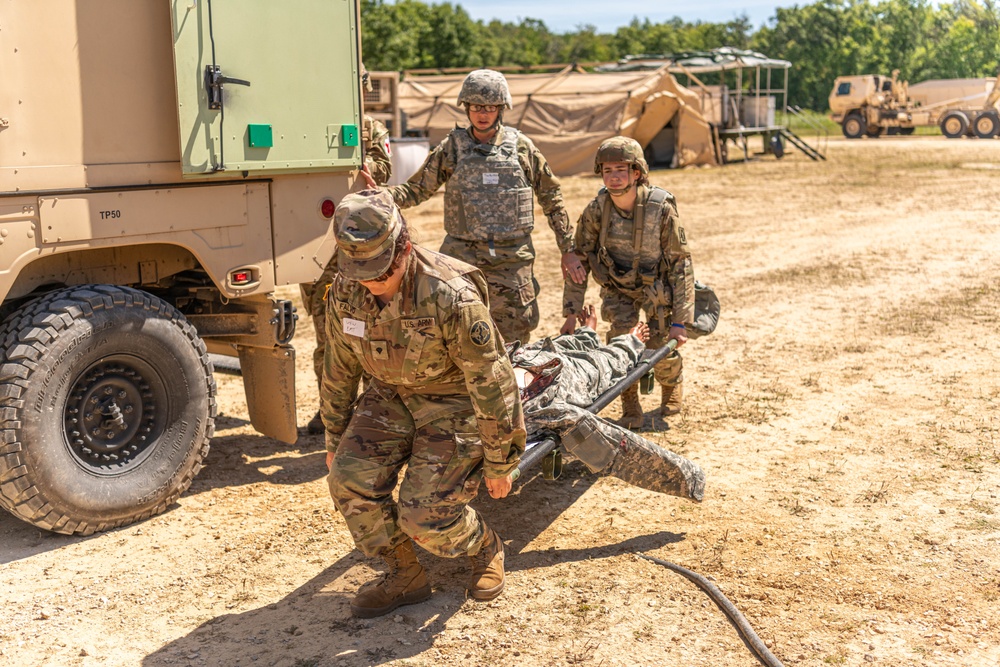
441,400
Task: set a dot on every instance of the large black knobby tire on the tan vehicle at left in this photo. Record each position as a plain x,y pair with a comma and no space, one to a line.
129,369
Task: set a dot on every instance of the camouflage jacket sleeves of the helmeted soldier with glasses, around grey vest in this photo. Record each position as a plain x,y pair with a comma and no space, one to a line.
443,159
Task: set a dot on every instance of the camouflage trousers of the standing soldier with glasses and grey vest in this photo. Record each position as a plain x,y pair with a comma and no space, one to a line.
509,273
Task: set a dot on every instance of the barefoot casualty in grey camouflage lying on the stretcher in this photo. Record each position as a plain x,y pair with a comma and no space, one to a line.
563,376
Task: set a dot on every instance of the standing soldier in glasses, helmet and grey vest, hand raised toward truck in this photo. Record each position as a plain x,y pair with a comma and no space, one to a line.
491,171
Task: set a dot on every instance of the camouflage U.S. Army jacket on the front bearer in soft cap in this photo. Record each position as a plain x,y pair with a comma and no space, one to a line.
434,345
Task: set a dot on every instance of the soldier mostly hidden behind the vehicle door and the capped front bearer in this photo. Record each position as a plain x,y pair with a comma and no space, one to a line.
375,142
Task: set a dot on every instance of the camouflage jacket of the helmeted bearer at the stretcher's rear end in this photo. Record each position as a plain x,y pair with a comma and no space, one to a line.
667,259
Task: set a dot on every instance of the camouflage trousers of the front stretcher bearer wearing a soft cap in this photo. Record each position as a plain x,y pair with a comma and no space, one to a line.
444,467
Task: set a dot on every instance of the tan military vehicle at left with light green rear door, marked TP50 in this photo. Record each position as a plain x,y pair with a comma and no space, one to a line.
165,166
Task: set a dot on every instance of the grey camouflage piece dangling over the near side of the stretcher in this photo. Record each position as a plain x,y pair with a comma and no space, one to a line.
610,449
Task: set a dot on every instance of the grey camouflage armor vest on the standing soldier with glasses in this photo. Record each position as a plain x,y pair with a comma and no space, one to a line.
488,197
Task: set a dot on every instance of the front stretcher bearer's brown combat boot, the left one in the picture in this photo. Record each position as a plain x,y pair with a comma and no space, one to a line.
404,583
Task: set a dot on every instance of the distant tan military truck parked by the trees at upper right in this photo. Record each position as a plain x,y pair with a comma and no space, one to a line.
870,104
